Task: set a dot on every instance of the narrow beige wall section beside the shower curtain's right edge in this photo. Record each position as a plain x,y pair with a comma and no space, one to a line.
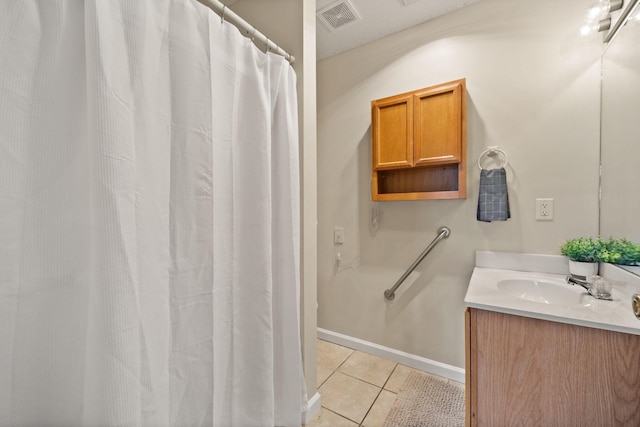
291,25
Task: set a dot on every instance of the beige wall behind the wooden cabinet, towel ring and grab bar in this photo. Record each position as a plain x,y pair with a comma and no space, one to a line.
530,90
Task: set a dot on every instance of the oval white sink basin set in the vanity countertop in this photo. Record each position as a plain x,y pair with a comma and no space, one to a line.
544,291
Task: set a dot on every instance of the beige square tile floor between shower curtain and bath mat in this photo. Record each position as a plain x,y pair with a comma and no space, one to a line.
357,389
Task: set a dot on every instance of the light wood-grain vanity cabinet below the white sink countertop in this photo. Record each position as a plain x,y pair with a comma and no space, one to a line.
532,372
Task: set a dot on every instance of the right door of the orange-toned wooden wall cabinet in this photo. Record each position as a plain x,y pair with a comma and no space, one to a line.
438,124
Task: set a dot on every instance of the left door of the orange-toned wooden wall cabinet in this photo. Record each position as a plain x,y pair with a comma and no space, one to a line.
392,132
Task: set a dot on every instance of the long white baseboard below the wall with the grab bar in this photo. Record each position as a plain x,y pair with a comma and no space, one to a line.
427,365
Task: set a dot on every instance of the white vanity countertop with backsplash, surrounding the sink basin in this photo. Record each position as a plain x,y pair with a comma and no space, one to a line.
483,293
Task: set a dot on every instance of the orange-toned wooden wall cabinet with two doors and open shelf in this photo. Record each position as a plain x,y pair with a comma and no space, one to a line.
419,144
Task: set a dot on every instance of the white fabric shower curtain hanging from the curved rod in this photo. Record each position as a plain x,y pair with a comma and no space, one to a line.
149,219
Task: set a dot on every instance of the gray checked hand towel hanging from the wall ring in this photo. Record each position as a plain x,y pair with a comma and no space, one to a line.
493,198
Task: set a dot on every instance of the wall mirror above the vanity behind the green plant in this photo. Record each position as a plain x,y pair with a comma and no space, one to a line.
620,133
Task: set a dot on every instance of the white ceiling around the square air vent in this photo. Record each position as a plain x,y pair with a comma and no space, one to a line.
379,18
